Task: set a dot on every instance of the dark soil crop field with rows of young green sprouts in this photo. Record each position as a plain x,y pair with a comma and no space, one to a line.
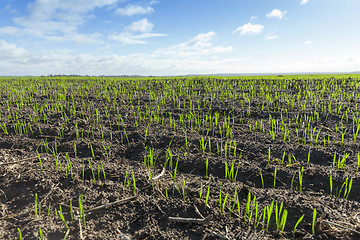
261,157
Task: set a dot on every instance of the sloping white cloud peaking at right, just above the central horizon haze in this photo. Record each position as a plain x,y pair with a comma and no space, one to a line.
196,47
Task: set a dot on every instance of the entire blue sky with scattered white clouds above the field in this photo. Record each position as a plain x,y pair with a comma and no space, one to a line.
173,37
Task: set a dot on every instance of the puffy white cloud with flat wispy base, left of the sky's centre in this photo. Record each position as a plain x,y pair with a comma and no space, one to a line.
129,34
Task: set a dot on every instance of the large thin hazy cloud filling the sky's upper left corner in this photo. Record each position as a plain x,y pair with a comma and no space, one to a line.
57,20
